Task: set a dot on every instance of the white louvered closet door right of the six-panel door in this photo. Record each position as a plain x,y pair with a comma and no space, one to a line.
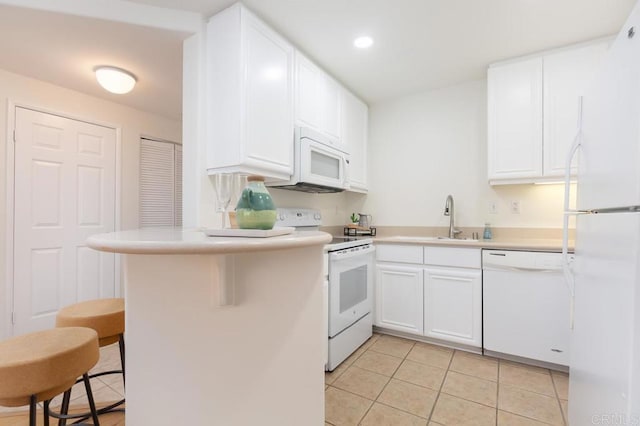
160,184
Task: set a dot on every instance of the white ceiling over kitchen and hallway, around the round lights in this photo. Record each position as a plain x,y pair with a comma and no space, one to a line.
419,44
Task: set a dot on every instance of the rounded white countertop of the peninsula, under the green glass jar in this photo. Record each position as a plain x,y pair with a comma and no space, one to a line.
194,241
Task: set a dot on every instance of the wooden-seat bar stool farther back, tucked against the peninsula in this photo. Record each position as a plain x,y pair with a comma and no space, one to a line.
106,317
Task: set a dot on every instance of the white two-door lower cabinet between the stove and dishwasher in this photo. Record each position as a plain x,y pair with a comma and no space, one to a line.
430,291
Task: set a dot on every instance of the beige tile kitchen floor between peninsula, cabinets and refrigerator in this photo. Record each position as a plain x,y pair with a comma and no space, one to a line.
393,381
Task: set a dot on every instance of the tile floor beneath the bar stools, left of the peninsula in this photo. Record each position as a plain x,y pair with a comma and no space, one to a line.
109,388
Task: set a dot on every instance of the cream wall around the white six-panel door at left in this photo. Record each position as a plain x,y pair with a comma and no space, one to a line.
133,124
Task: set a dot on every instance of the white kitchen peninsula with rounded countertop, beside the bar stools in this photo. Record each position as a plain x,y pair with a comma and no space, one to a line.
222,330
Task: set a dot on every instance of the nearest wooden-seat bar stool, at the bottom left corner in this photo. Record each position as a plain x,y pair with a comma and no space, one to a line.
38,366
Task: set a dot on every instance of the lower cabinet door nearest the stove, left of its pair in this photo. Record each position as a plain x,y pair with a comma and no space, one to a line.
399,295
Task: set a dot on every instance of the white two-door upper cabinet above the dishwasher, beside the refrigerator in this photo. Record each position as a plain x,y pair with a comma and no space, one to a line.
533,111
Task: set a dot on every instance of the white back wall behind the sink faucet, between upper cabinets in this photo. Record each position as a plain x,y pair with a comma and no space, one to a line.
425,146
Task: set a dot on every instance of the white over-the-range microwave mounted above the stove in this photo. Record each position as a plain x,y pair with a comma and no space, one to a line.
319,164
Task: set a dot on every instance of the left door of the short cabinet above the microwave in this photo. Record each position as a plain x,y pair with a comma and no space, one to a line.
308,93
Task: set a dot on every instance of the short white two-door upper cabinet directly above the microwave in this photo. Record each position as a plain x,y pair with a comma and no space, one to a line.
318,103
